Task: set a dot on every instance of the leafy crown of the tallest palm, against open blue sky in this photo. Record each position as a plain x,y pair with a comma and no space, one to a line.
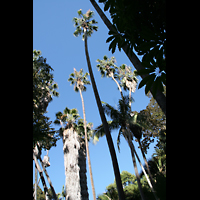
84,23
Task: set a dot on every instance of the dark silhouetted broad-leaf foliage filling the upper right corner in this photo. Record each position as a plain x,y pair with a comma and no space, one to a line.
141,25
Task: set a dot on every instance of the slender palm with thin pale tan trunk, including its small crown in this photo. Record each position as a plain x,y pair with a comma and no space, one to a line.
79,80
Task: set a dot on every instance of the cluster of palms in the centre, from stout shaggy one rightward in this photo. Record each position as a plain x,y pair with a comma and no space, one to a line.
76,132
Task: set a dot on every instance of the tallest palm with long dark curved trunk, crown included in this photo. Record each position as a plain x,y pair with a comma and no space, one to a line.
85,26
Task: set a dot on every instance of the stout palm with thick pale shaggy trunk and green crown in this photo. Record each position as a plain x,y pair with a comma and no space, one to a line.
72,133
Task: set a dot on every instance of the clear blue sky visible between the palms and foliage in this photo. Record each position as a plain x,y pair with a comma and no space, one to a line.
53,35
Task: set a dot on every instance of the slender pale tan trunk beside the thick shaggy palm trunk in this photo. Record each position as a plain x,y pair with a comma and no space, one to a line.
87,147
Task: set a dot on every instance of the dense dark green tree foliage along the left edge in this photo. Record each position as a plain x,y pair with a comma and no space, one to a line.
44,88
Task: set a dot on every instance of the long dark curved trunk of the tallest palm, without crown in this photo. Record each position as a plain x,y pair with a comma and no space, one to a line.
105,125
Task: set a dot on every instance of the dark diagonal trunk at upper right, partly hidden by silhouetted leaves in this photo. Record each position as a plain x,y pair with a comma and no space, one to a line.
160,97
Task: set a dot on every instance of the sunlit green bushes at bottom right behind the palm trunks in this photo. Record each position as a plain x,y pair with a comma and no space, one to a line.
157,166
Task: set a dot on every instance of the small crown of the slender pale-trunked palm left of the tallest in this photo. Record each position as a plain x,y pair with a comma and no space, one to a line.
79,80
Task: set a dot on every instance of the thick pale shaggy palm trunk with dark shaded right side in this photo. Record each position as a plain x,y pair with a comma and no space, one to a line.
75,166
